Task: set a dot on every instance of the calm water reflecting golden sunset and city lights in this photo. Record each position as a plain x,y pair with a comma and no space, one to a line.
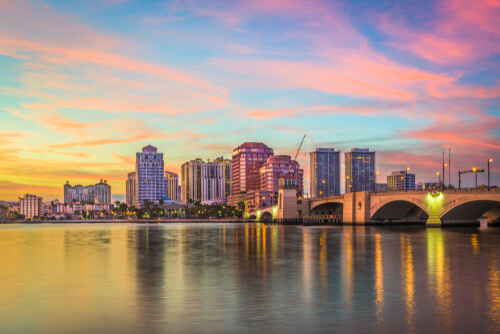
247,278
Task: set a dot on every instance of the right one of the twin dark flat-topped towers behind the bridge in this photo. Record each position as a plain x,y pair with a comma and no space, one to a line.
359,170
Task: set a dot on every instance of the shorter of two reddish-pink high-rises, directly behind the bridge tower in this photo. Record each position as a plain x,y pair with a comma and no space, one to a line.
277,166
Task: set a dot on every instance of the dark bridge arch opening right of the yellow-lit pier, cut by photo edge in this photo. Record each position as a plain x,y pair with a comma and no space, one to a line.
469,211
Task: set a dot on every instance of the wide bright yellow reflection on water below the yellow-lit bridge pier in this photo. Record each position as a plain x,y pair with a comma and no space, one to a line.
439,277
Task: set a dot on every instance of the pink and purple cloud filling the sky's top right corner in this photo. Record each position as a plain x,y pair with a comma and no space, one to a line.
462,32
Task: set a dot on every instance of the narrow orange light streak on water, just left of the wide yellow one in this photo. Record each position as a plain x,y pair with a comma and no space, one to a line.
408,278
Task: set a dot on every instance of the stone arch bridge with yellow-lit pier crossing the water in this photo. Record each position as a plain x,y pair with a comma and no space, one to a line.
447,207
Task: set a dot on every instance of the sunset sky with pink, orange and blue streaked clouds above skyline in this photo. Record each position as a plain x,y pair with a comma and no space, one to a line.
84,85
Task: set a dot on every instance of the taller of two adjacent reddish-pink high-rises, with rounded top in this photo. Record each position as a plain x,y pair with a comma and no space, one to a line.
248,158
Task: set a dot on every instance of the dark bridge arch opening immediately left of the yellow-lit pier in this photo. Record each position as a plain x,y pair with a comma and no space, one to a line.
399,210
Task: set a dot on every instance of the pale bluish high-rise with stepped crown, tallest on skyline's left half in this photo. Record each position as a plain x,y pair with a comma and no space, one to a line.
150,181
